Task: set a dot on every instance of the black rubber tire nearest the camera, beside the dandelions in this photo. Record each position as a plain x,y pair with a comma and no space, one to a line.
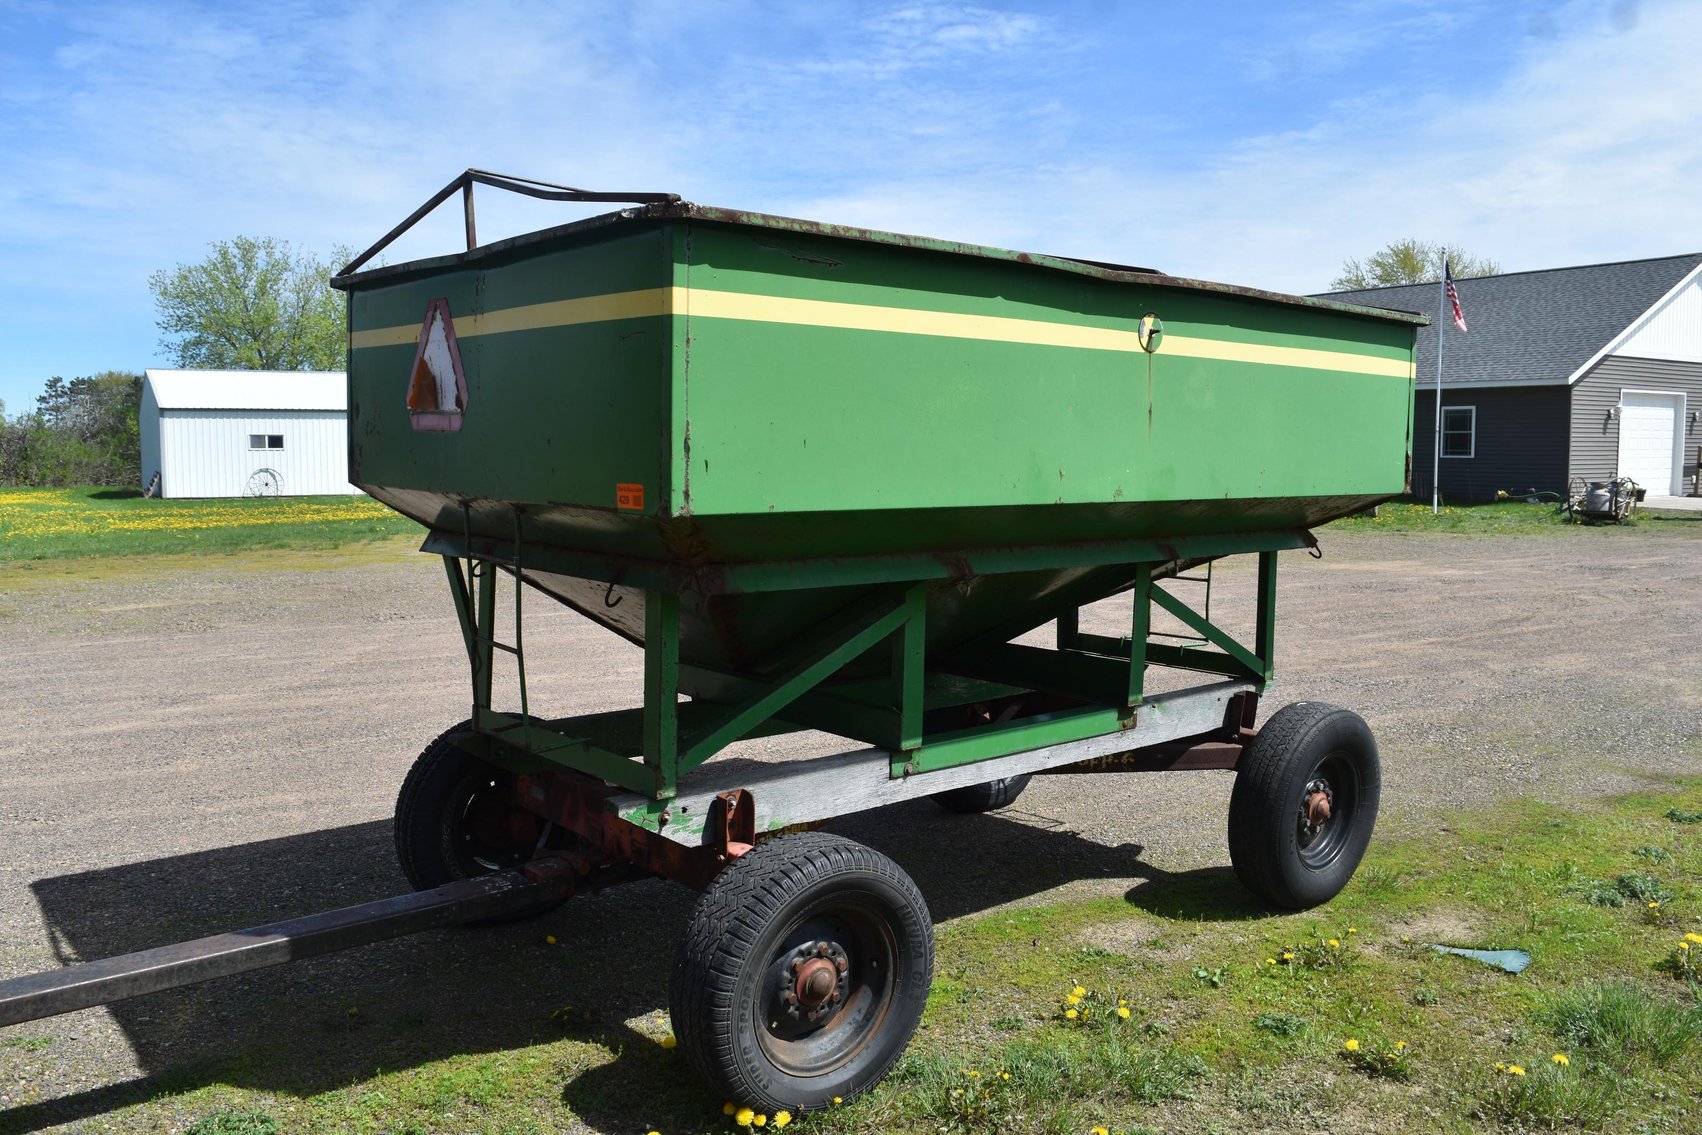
740,930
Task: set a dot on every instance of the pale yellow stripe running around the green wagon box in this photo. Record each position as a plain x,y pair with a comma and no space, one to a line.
738,305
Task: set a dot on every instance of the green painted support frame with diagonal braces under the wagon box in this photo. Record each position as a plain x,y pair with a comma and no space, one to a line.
649,750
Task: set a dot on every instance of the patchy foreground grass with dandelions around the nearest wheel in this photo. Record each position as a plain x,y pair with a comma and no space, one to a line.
1260,1042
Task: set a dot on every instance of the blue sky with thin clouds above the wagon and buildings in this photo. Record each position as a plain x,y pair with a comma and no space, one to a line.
1255,144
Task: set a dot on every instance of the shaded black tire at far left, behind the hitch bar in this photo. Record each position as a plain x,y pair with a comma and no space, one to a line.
425,830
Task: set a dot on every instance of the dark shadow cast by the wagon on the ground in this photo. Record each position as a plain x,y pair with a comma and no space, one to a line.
324,1024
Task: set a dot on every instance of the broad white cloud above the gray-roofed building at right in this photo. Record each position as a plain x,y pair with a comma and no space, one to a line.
1585,152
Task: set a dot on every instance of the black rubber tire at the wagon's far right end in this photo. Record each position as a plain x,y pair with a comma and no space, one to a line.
1265,804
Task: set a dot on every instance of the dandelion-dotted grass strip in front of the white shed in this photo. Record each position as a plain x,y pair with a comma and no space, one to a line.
62,523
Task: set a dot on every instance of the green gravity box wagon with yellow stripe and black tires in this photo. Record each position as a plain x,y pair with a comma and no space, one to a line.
847,481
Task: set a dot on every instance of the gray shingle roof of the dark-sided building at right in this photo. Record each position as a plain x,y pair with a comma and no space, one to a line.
1531,326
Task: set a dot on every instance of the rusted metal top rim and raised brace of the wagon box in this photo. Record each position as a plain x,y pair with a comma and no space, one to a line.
687,210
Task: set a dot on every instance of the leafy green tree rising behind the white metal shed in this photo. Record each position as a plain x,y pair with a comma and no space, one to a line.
253,305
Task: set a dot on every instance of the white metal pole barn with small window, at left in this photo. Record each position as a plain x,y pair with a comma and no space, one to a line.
246,433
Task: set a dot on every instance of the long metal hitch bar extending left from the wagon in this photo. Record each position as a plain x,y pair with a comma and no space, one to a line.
101,983
